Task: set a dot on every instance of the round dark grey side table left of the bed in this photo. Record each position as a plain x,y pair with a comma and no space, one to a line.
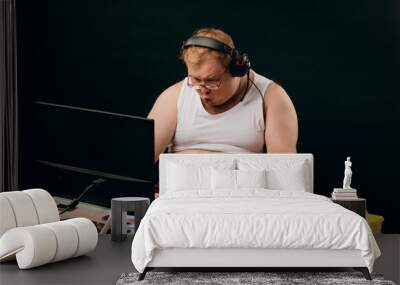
119,209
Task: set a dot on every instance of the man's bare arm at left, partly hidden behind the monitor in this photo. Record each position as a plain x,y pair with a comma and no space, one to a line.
164,114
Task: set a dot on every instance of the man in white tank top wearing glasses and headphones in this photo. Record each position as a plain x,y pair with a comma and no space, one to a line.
222,105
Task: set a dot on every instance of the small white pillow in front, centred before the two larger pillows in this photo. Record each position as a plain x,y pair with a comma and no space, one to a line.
236,179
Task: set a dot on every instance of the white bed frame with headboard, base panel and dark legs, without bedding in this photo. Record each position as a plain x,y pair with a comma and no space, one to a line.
242,259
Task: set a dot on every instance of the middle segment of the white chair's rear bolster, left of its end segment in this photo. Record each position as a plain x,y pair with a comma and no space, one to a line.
23,208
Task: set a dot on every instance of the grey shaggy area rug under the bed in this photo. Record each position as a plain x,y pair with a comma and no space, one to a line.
243,278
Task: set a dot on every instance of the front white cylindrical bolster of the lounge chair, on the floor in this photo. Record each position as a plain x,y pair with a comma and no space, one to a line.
41,244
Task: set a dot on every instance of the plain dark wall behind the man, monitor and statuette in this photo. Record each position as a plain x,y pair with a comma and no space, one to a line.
338,60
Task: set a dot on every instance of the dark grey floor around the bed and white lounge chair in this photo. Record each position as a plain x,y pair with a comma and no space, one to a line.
110,260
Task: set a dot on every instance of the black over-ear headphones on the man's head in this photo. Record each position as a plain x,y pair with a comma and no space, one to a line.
240,62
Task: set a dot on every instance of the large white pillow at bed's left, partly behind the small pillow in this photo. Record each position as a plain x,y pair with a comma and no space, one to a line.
185,175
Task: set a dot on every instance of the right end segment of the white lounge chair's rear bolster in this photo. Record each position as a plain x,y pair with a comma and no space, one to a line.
45,205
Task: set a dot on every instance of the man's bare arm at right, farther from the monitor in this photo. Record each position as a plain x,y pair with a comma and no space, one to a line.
281,130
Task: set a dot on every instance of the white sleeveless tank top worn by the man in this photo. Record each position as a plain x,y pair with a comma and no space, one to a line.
240,129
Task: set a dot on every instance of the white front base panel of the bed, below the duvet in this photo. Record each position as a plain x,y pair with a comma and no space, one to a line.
190,257
